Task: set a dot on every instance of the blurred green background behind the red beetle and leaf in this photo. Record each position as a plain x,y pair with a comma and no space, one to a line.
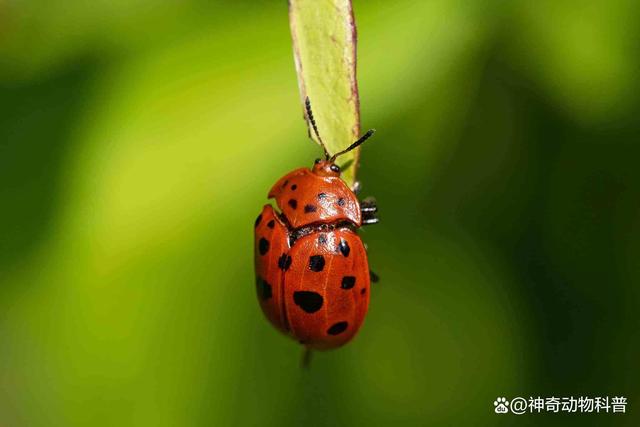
138,140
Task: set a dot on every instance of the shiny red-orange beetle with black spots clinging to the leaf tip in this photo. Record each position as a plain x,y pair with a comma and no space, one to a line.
312,273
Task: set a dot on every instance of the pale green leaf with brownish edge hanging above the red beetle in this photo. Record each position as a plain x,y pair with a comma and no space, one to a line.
324,46
